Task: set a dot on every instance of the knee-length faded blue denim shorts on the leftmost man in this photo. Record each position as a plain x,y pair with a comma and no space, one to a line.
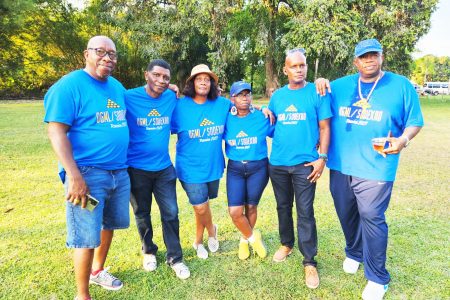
112,190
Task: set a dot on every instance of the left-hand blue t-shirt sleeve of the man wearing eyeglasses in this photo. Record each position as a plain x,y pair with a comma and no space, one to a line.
61,103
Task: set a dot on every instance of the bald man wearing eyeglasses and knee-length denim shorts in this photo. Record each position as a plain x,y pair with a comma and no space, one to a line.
87,127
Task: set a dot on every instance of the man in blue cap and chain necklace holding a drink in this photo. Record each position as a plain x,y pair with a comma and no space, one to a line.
371,108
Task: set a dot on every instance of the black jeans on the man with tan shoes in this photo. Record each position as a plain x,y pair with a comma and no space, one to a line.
287,182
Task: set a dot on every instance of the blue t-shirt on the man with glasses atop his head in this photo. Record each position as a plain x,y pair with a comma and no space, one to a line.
296,135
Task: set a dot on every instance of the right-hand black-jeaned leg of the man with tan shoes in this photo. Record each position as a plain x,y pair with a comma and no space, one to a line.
306,222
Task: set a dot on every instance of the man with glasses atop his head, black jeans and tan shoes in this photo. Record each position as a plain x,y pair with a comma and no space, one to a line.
295,163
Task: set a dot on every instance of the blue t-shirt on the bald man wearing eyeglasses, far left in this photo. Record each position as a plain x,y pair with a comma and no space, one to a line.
95,111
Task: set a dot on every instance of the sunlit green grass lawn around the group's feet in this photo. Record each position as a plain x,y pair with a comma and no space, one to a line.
35,264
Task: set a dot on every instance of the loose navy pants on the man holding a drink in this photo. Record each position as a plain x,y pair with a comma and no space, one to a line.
360,205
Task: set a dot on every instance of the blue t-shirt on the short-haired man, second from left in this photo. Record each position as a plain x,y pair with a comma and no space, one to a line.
149,123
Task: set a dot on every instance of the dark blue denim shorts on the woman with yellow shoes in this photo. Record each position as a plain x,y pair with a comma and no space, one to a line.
246,181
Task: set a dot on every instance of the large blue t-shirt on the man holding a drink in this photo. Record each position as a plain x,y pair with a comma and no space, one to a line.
394,106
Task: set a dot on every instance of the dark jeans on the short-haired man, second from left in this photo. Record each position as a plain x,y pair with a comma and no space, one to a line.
162,184
